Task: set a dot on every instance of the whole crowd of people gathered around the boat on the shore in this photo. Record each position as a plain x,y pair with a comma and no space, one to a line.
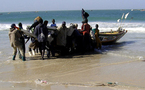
65,40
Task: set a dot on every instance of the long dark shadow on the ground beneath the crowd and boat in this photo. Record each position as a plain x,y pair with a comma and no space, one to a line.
105,48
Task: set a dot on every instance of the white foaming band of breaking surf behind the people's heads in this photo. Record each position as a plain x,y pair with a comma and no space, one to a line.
103,26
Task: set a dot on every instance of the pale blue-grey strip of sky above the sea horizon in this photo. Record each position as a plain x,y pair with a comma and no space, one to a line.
50,5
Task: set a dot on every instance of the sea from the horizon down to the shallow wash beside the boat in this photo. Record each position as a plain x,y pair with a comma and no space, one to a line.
131,45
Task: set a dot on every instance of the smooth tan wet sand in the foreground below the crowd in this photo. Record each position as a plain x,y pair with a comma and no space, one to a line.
93,71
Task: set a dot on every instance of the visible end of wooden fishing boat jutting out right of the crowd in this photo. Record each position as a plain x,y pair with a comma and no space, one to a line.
112,36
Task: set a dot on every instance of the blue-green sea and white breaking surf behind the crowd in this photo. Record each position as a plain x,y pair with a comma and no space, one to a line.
107,19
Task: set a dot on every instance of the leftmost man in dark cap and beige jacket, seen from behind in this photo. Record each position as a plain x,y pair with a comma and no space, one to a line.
16,41
